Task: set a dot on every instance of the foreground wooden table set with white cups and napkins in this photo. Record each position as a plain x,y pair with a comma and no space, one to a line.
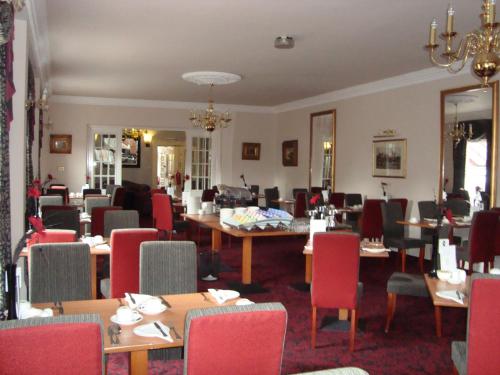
138,346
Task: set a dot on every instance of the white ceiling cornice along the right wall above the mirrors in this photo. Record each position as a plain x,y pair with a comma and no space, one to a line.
403,80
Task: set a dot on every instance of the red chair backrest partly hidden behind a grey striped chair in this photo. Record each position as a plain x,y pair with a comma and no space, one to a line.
124,258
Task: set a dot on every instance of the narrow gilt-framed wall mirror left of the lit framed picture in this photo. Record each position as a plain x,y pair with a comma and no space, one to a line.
322,150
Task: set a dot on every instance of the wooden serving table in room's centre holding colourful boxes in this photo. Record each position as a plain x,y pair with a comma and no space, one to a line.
212,221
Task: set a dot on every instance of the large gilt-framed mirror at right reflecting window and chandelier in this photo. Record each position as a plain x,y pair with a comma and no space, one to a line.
469,126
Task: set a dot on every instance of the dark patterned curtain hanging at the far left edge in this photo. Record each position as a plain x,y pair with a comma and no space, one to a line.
6,93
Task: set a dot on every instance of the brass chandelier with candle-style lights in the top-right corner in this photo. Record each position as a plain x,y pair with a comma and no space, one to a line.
481,44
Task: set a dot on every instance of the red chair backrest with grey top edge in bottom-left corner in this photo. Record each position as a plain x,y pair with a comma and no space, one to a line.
57,345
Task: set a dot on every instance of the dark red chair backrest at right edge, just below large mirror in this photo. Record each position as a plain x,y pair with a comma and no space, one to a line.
482,236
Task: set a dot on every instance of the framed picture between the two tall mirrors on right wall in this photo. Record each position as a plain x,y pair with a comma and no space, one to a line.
389,158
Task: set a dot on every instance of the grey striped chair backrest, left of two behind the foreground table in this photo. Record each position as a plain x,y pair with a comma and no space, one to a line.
59,272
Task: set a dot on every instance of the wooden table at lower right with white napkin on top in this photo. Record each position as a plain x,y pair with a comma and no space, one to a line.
435,285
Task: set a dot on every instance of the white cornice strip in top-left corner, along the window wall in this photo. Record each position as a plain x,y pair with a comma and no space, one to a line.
38,38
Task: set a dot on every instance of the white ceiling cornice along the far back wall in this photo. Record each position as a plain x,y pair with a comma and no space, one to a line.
141,103
